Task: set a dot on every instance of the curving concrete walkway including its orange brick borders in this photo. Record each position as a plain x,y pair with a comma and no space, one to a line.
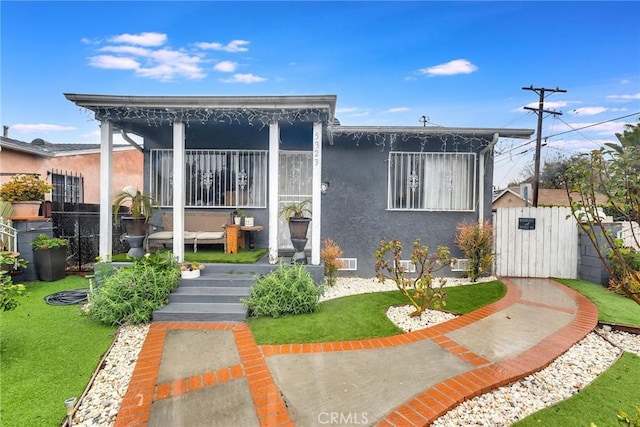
204,374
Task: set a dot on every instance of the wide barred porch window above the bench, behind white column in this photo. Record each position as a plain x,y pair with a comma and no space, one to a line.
213,178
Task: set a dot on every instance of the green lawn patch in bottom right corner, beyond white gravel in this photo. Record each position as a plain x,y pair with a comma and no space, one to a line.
616,389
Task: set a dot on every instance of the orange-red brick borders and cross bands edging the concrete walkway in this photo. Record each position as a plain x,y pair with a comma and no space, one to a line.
421,410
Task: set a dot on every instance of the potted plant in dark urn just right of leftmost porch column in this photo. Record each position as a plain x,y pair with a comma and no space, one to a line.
140,206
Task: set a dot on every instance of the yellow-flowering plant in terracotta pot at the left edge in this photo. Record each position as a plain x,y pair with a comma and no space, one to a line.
26,193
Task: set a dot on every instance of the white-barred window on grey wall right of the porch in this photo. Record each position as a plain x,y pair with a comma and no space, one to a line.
431,181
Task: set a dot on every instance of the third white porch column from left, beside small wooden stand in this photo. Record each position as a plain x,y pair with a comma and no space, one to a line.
274,174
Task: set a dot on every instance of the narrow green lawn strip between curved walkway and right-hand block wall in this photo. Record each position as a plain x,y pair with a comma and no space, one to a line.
612,308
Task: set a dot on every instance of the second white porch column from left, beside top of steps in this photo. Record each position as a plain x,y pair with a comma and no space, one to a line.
178,190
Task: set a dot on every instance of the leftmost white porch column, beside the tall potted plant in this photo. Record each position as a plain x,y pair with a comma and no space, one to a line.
106,190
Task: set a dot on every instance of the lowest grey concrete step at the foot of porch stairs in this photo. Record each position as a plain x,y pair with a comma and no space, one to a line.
199,312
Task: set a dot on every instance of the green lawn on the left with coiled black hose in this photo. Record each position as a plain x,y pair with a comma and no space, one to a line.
48,354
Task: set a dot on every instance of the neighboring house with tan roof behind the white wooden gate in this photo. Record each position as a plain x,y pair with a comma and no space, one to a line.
514,197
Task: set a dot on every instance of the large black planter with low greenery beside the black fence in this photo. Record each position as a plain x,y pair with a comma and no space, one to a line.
50,256
